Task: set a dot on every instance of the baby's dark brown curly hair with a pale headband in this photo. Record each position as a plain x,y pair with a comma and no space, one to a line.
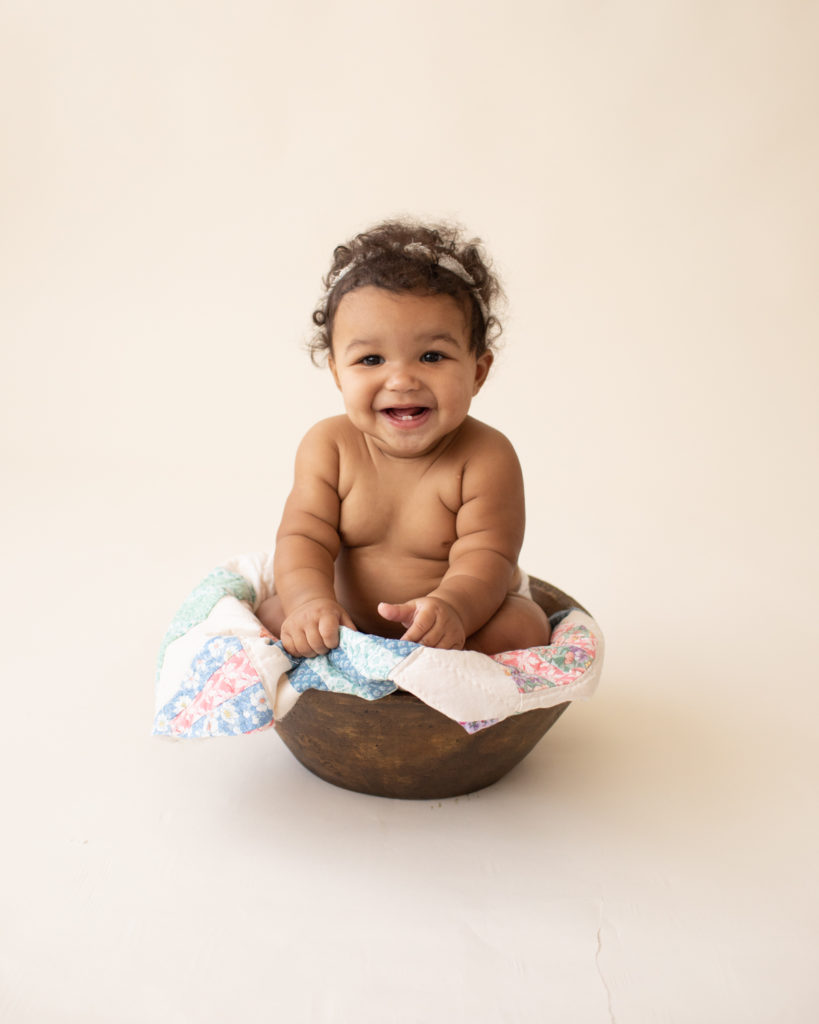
408,257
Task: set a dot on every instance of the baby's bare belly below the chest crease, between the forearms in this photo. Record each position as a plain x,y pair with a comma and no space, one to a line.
367,576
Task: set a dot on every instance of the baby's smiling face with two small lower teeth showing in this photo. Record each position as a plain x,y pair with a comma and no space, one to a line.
404,366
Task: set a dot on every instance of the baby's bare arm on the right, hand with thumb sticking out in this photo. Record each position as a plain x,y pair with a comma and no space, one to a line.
483,561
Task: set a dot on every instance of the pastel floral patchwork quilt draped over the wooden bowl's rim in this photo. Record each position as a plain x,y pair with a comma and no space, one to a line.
222,673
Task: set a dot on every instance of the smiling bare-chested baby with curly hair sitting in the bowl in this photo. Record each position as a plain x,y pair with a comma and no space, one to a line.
407,516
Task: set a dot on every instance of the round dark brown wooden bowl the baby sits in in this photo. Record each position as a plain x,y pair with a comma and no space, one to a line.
400,747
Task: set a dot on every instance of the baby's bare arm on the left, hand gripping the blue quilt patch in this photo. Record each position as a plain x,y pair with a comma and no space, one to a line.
308,545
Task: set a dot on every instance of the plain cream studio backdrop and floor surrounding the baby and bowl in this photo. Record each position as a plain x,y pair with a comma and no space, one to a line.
174,180
